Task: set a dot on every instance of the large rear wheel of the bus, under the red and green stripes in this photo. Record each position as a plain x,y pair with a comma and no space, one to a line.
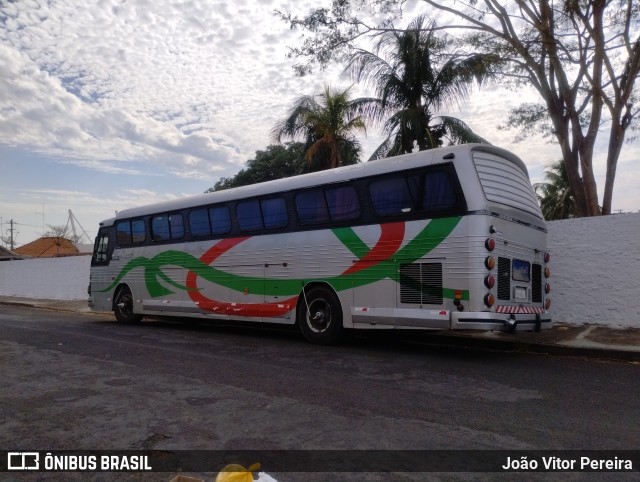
320,316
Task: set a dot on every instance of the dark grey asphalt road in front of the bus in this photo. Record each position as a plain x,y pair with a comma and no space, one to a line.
83,382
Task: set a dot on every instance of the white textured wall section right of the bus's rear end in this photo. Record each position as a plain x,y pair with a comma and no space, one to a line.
595,270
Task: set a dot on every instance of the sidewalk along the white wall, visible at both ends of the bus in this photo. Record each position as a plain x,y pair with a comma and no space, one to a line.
596,341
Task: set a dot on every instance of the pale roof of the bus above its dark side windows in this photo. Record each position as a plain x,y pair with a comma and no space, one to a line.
457,154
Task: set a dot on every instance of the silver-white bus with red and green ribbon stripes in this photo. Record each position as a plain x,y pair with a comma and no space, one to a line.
449,238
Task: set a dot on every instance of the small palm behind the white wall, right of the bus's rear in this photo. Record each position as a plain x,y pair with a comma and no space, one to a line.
554,194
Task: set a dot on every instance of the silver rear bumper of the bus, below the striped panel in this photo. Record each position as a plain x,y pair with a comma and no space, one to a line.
500,321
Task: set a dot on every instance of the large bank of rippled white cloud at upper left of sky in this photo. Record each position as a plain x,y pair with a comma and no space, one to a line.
170,83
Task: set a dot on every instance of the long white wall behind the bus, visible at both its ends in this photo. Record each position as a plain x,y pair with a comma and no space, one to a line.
595,272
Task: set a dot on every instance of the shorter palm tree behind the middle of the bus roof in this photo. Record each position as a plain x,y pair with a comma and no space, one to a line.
327,123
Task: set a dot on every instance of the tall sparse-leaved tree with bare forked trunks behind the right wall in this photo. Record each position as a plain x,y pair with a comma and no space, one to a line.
581,56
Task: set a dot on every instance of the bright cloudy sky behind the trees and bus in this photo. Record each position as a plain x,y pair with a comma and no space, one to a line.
109,104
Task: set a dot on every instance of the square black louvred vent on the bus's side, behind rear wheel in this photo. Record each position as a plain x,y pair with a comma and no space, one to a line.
421,283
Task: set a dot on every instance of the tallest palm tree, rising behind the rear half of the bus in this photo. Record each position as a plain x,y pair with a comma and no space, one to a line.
418,79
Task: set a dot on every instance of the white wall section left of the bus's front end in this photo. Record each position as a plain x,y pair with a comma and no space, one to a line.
47,278
